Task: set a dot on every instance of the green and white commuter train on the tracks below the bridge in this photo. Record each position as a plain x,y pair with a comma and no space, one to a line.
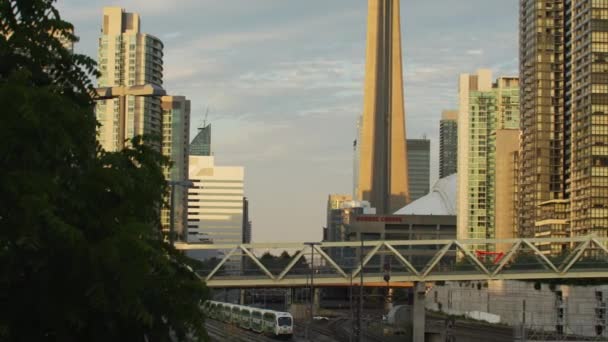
267,322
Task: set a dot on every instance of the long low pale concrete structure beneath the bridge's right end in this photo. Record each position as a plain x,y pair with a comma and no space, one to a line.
578,310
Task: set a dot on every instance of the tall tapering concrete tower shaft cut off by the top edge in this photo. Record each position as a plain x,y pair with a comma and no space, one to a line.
382,172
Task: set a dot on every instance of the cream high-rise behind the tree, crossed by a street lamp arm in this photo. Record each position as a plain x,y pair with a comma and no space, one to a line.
128,57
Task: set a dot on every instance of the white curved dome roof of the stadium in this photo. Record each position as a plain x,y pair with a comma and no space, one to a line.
440,201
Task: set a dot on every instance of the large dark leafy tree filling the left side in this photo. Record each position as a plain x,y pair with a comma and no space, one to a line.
81,254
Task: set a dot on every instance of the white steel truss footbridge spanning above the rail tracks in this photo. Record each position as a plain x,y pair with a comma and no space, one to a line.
341,263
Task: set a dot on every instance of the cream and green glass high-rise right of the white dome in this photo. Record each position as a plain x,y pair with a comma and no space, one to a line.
486,110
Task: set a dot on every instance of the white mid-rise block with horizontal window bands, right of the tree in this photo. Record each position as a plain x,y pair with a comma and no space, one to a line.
215,203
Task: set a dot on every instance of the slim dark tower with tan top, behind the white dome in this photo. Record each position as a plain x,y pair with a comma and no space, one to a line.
448,143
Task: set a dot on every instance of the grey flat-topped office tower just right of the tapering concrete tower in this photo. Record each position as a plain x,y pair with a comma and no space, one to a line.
419,167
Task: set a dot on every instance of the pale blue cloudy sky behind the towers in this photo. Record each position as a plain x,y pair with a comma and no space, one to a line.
283,83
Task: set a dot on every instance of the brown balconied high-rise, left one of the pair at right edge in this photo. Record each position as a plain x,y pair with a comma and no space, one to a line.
545,106
